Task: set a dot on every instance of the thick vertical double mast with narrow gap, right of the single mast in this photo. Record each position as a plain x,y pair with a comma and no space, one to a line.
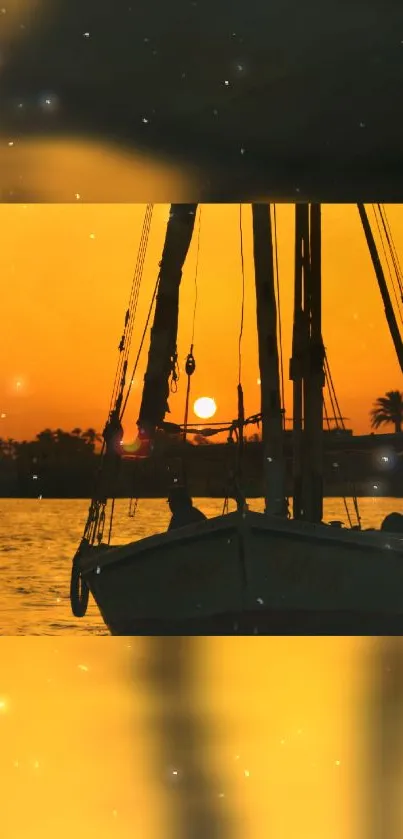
307,366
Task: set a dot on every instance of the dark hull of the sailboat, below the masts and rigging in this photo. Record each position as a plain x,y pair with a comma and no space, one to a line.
250,575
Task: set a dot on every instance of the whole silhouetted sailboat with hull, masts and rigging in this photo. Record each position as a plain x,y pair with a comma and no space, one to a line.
243,572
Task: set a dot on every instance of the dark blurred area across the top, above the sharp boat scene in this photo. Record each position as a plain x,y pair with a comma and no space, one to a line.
284,98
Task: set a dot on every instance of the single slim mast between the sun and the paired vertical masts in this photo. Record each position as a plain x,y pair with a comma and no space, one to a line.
272,422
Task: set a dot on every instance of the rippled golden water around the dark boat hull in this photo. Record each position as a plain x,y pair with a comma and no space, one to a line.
39,537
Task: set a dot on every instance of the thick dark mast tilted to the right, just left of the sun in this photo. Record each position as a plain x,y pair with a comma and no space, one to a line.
162,352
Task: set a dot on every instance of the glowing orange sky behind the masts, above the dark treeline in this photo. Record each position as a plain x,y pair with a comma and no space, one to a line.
66,273
